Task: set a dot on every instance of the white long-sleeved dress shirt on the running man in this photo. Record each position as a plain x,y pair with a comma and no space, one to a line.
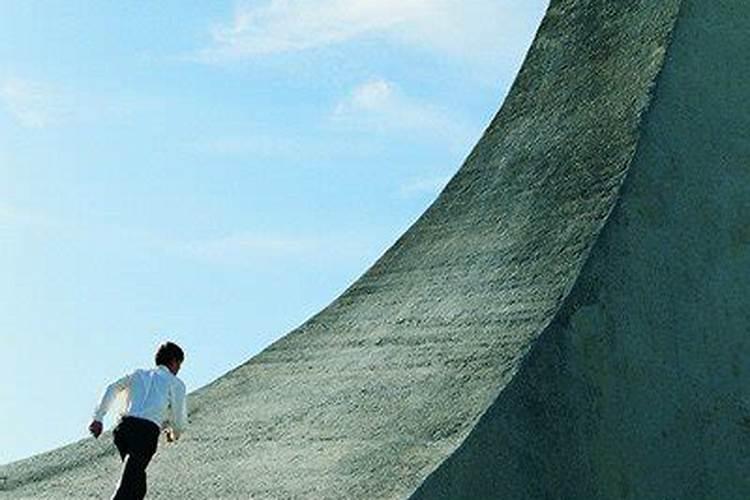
155,394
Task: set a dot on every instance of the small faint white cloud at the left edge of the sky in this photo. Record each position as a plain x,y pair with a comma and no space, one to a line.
32,104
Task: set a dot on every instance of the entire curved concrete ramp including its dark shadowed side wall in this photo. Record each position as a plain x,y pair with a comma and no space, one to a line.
545,330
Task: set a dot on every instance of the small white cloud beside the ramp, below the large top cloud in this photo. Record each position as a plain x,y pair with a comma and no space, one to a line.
380,105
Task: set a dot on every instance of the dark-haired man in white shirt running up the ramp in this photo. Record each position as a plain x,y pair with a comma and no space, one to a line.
155,400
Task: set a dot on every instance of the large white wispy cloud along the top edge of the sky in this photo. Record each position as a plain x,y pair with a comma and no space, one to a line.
465,29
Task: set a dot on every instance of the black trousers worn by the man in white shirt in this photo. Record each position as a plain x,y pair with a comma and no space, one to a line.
136,440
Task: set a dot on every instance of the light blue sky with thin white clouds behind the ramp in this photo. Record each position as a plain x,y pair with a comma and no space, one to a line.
214,173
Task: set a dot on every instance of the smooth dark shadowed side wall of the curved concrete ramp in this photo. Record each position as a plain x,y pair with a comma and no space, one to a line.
640,387
